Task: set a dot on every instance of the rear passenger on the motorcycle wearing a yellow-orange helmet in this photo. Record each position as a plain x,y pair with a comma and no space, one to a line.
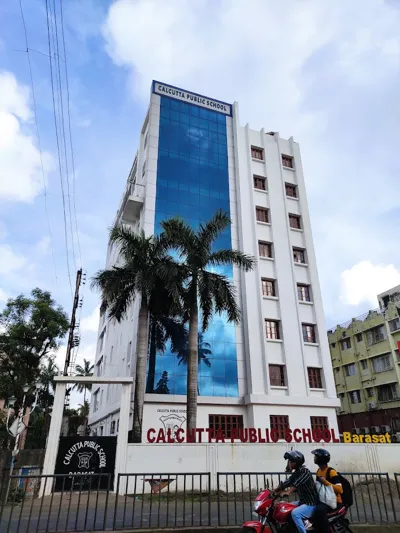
320,516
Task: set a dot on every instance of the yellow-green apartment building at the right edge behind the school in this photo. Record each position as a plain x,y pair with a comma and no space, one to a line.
366,365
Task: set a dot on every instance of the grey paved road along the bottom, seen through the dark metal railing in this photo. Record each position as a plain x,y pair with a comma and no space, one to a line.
102,511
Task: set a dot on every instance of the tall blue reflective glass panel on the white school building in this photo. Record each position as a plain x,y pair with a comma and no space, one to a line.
192,182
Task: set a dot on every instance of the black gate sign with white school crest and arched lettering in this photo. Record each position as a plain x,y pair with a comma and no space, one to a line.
82,456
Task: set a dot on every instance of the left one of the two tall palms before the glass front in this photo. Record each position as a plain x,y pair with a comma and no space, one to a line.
138,276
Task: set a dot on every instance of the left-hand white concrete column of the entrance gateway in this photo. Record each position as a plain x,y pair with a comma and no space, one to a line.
53,439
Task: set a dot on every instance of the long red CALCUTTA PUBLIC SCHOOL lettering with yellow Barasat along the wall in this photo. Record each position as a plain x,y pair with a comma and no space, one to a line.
178,435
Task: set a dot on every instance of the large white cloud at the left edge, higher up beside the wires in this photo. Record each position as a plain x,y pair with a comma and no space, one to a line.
21,177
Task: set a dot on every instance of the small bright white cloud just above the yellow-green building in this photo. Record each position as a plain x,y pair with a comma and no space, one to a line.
364,281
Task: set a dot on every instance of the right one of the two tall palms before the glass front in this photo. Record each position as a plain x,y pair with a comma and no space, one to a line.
204,289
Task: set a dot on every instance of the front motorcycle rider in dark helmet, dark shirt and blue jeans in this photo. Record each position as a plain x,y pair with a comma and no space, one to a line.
301,481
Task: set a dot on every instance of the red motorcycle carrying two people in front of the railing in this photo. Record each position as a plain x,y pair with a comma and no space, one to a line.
274,517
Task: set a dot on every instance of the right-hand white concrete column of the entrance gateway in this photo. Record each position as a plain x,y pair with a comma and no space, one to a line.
122,439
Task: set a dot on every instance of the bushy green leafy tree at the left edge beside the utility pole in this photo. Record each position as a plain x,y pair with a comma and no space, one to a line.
31,329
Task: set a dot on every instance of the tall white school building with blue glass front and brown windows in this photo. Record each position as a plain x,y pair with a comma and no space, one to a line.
274,369
